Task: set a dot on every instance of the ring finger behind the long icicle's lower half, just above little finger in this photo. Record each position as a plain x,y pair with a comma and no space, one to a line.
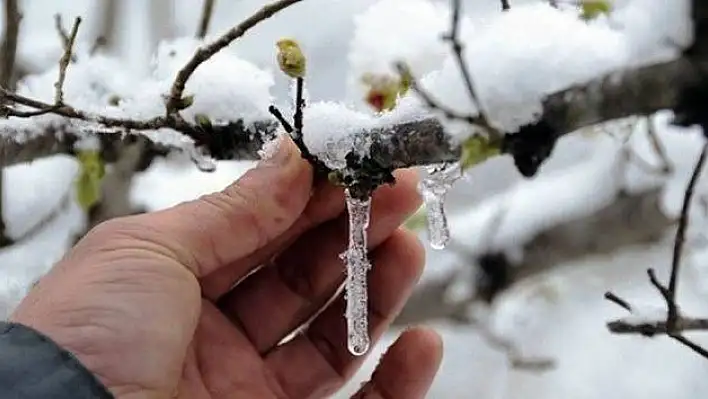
317,362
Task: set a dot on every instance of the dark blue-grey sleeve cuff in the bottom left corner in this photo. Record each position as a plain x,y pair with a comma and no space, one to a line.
32,366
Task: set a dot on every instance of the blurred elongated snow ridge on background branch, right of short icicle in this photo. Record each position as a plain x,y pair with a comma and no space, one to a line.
512,218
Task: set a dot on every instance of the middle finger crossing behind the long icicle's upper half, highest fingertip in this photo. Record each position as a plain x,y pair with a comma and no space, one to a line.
306,276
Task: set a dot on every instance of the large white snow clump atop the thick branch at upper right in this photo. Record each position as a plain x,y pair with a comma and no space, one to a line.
545,50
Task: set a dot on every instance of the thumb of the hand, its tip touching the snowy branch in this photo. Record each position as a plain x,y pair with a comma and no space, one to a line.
220,228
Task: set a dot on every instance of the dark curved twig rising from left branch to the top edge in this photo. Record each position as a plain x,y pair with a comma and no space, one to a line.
172,105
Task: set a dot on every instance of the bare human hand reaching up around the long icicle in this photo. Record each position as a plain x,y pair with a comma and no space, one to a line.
164,305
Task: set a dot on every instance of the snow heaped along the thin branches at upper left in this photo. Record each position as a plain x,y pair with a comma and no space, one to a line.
224,87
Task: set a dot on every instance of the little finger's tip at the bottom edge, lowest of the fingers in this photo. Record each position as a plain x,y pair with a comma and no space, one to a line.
408,368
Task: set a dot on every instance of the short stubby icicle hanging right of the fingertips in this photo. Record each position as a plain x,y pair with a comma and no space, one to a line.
433,189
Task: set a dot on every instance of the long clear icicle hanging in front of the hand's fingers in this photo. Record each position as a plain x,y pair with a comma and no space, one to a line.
357,267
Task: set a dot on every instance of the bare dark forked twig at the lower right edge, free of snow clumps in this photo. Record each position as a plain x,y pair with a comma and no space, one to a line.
675,323
